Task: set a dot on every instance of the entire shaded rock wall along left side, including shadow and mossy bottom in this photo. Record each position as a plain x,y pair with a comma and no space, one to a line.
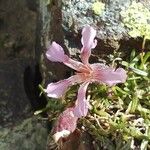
18,83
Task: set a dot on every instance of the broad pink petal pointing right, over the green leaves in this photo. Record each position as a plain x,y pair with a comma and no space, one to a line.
108,75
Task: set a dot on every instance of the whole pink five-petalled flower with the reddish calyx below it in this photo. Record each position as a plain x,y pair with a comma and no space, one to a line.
86,73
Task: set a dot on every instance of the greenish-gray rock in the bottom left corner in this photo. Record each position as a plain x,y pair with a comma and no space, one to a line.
30,134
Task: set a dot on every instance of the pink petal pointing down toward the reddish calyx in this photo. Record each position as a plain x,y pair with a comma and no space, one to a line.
82,105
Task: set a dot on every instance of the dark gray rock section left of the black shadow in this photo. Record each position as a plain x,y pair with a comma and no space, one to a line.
14,103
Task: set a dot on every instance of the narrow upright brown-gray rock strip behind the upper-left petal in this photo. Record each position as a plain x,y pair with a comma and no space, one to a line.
49,28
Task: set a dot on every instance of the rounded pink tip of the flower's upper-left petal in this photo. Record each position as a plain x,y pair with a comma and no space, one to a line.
56,53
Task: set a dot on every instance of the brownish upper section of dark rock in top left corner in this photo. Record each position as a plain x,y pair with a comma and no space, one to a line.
17,30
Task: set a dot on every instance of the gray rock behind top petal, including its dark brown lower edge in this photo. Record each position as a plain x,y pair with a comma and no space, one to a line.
111,33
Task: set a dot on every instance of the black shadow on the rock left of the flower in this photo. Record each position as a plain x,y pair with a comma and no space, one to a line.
32,79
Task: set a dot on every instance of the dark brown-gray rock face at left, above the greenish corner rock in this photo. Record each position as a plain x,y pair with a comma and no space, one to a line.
17,40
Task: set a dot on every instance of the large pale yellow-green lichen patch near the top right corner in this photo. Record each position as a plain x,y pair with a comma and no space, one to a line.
137,19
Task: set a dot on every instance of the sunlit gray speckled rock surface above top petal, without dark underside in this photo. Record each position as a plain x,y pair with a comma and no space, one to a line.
78,13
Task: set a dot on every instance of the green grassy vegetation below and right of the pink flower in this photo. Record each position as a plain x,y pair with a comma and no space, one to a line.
119,118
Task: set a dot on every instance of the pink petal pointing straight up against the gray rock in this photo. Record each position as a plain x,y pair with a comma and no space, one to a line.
88,42
